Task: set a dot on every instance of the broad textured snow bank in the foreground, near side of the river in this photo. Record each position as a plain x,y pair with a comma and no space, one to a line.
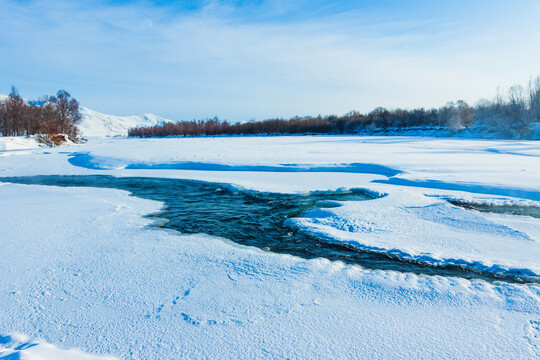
80,268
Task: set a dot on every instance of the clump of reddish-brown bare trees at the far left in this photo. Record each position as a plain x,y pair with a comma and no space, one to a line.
48,115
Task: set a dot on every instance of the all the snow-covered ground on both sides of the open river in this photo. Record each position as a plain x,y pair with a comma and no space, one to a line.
81,269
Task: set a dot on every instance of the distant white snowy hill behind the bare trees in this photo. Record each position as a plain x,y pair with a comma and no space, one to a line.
96,124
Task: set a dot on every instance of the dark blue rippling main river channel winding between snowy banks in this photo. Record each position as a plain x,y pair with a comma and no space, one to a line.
256,219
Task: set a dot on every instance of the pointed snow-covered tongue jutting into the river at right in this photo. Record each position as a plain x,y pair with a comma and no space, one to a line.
411,225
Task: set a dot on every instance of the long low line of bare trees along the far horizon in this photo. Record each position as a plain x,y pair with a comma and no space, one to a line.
510,115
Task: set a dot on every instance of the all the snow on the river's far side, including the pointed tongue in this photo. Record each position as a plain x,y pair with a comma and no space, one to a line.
413,222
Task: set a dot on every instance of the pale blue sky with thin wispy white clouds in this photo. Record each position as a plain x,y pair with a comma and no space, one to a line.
243,60
